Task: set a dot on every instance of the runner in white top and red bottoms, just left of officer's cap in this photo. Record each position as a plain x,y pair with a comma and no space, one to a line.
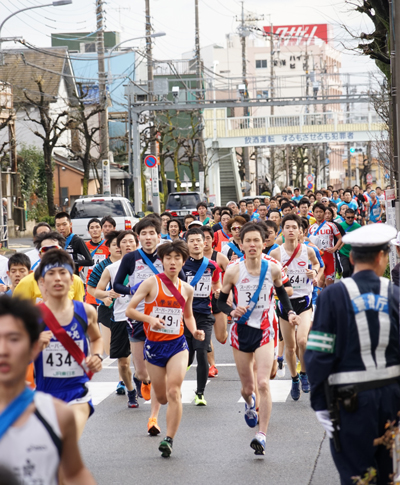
323,233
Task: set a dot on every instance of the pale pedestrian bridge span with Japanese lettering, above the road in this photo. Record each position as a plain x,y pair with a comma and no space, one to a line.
333,127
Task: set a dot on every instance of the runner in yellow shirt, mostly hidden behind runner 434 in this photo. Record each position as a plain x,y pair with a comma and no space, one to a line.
28,288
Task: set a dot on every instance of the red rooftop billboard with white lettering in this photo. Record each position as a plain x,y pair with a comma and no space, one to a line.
301,34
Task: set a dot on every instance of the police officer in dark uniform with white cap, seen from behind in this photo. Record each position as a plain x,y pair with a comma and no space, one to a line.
353,359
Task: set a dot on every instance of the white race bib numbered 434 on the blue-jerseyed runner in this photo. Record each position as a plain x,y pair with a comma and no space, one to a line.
58,362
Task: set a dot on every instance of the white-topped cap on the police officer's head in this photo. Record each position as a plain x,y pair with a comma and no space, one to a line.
370,237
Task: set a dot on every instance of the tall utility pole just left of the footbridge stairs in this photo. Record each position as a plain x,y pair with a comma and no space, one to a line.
199,75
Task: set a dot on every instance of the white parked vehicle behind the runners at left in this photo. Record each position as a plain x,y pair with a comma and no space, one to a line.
89,206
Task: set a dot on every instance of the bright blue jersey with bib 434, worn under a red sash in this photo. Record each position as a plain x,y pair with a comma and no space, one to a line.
57,372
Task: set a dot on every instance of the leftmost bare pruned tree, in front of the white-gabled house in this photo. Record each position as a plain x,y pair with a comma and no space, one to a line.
52,129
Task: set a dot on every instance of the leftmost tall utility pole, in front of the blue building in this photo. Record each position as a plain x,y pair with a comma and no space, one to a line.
103,101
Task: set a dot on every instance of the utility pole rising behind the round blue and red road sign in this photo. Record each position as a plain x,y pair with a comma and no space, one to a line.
155,190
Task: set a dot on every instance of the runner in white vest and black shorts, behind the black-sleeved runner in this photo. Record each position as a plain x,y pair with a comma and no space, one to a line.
119,344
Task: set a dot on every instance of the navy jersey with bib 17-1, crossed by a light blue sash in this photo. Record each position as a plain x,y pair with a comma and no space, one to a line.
202,290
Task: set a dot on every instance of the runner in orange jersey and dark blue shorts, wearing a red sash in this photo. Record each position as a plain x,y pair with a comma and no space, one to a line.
167,300
